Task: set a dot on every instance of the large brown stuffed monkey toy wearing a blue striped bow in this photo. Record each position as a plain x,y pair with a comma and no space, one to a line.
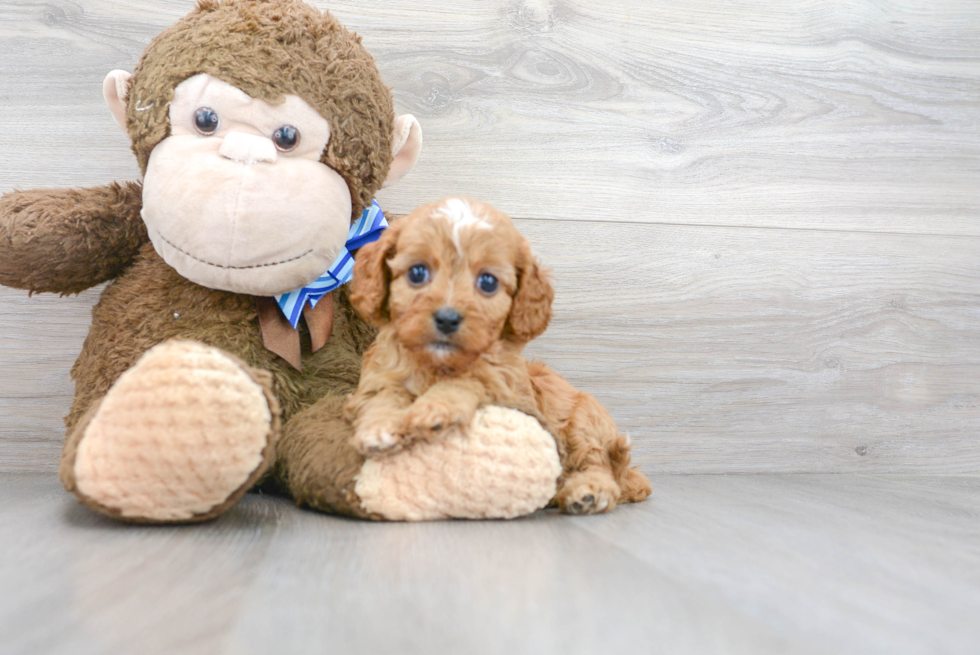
221,351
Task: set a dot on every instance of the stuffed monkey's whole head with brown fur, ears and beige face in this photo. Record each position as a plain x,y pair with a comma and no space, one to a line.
262,128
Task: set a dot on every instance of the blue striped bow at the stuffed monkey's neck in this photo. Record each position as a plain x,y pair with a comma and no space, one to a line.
366,229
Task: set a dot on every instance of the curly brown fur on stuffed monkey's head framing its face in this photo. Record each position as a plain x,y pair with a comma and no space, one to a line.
268,49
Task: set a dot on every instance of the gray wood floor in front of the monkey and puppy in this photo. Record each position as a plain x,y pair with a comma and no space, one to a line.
713,564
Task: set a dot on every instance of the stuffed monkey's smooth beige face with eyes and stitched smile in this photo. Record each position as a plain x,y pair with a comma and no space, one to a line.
237,199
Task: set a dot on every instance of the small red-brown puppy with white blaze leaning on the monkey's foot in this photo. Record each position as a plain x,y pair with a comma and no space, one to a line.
456,294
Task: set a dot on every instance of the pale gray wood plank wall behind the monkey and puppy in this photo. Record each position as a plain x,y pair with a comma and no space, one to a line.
763,218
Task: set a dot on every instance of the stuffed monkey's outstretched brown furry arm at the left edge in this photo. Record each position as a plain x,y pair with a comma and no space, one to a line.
67,240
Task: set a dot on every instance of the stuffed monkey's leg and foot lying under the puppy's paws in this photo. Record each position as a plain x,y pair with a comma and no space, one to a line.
505,465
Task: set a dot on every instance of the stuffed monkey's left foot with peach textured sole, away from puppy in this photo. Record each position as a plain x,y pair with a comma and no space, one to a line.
179,437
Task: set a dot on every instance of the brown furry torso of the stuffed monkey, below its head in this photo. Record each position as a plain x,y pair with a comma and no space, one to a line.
152,303
